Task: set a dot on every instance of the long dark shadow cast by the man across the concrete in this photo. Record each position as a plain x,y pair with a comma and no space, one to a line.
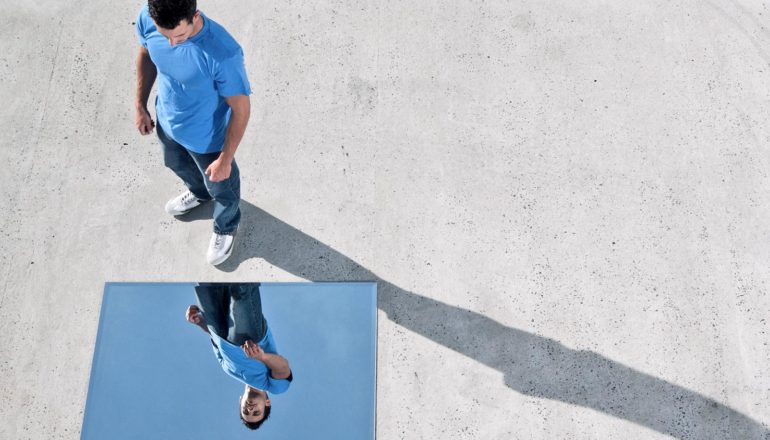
531,364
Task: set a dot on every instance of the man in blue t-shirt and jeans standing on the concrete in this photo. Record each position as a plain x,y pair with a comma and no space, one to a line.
202,108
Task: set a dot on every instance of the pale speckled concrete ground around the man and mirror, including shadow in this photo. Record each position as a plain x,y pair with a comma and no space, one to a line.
565,205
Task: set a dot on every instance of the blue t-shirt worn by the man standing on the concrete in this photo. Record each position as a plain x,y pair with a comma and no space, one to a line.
194,78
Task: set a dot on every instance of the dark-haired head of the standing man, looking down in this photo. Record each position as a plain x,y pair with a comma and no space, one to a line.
177,20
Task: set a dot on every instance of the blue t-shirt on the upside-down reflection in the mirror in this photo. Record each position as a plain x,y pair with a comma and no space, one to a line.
244,369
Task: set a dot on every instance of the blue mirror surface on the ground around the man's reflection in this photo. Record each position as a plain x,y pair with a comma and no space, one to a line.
155,375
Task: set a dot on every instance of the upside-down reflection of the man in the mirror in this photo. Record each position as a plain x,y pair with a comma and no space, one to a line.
232,315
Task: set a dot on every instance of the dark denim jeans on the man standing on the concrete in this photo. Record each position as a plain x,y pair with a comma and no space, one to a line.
190,167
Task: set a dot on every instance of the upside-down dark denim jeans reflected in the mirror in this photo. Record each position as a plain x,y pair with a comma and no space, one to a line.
233,310
